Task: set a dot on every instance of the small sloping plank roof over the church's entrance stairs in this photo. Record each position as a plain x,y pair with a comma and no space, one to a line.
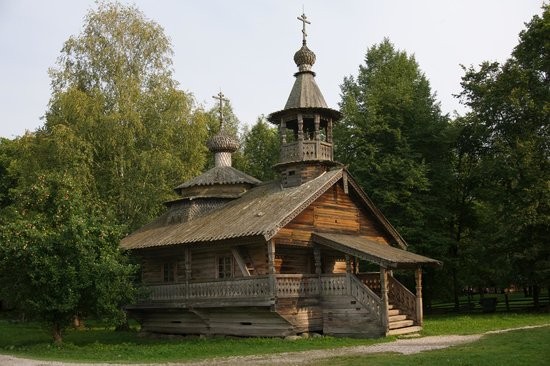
371,251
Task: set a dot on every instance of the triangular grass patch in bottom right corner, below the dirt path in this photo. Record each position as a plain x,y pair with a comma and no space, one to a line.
520,347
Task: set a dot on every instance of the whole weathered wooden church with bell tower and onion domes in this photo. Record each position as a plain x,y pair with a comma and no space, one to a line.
236,256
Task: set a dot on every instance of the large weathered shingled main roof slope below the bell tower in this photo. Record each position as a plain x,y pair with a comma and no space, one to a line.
261,211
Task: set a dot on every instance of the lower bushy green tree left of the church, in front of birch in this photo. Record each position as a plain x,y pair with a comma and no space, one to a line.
59,253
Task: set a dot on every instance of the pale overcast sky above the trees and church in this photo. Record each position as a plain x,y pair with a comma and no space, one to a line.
245,47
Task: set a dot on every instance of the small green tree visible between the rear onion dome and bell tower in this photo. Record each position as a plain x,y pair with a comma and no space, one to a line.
260,150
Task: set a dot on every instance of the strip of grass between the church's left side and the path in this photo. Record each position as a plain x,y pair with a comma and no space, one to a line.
104,345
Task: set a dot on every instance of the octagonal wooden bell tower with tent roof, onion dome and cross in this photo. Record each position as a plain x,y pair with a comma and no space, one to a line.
305,124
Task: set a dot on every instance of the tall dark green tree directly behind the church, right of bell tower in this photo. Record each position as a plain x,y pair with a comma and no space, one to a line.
391,132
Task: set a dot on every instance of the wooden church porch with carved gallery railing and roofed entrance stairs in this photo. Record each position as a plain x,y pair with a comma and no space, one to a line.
370,304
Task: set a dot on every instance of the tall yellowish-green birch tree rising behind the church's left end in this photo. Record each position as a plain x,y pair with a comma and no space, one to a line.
113,87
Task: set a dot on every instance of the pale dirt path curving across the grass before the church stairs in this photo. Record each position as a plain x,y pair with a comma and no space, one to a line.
403,346
